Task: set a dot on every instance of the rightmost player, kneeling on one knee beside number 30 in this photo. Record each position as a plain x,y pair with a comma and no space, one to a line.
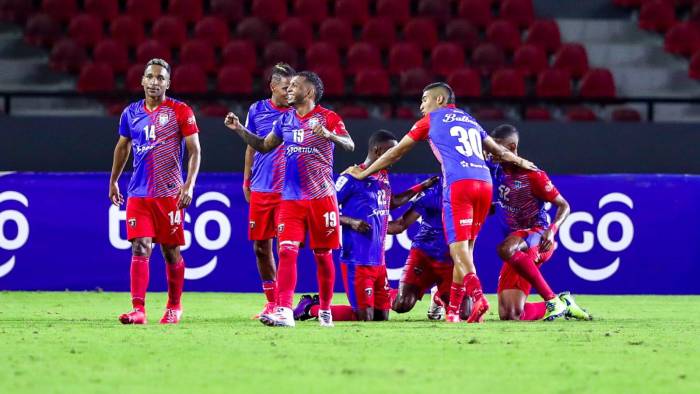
521,199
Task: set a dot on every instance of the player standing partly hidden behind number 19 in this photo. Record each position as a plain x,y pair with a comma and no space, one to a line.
262,180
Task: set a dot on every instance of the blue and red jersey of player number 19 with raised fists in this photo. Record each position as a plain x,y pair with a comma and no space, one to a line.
308,173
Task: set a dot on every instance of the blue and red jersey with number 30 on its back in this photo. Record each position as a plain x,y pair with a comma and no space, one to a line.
455,138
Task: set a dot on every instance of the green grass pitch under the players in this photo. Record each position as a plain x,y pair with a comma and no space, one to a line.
71,342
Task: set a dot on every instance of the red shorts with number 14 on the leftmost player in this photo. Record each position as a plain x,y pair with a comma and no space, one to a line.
157,218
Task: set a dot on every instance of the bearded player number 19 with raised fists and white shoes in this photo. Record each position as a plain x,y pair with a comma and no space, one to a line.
309,133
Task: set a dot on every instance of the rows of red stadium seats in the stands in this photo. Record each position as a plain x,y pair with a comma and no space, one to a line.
383,48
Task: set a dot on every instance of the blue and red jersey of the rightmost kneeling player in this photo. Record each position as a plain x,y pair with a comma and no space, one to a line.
520,197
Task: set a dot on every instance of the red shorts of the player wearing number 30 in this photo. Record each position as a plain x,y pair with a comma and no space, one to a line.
465,209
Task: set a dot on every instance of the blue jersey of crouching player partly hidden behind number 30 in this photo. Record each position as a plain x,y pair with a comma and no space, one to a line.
431,235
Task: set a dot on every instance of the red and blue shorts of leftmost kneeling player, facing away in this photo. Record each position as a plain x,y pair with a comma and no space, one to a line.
367,286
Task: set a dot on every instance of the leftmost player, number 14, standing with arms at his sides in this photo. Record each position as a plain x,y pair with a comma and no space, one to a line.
157,128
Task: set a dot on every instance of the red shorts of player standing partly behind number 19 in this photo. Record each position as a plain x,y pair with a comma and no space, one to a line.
263,215
